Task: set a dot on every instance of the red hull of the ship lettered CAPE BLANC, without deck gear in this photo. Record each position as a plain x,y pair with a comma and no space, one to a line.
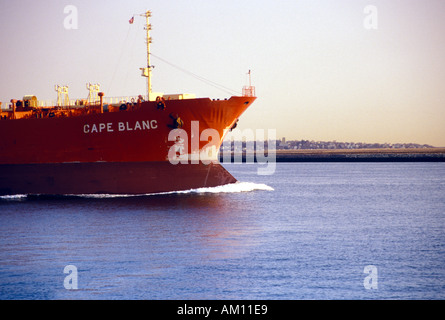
123,152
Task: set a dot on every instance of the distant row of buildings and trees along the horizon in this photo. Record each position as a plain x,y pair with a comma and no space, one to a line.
239,146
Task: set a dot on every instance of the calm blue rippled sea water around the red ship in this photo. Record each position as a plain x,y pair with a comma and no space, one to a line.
308,231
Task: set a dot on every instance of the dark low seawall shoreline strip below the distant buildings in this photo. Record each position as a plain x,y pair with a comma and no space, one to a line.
347,155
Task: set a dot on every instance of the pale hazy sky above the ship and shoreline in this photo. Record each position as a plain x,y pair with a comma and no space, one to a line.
319,73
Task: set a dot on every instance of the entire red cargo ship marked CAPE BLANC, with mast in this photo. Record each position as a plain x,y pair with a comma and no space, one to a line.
146,144
